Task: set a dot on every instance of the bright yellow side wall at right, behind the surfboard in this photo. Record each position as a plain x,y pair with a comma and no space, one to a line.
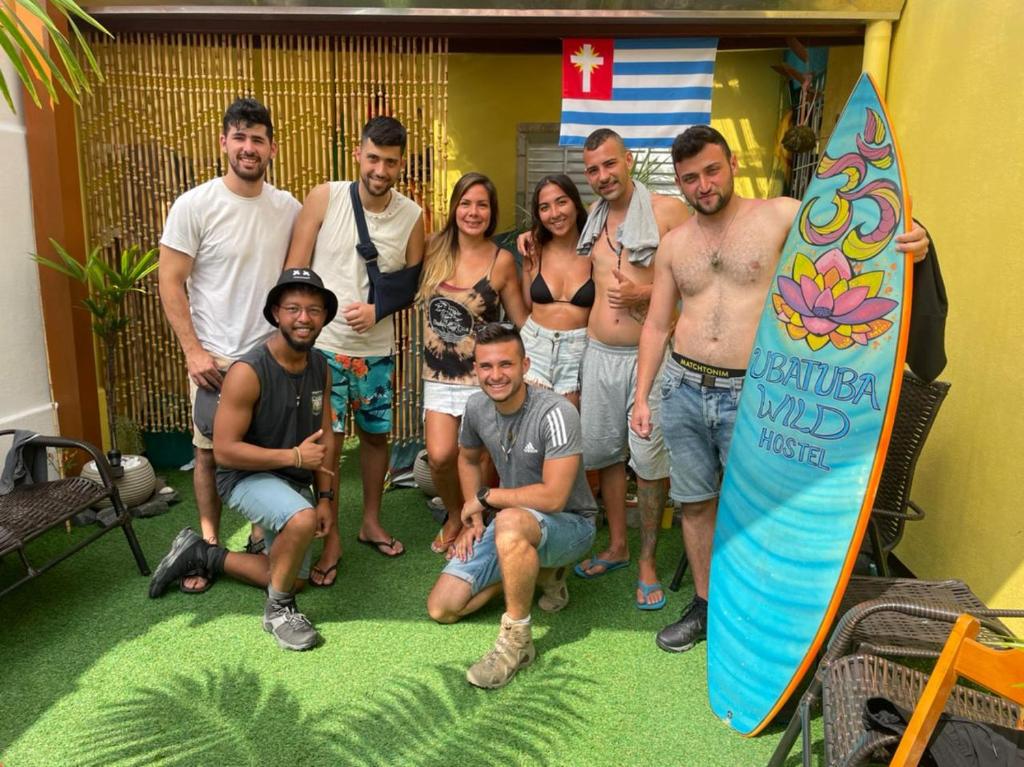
958,108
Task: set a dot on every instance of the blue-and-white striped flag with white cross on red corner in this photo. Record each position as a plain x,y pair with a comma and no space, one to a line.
649,92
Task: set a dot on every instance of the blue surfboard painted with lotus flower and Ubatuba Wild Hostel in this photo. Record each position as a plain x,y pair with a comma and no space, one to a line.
814,422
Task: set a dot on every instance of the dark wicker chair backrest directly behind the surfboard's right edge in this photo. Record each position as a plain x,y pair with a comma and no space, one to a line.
919,405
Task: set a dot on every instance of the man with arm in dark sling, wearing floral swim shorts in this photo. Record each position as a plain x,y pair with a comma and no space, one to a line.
360,345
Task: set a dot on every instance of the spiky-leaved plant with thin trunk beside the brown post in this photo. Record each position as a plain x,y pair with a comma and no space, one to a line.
109,287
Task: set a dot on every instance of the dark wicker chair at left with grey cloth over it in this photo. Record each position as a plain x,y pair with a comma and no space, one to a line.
31,510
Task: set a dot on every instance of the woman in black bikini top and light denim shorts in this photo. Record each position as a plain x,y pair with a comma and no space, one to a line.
559,288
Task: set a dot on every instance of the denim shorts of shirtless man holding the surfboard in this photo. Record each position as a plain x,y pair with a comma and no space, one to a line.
697,423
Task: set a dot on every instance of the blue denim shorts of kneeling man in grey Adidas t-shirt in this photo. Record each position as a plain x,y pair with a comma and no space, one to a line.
566,538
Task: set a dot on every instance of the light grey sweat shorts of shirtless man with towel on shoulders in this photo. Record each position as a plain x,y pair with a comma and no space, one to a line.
609,385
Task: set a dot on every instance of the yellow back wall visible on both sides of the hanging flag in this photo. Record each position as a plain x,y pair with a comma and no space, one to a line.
491,95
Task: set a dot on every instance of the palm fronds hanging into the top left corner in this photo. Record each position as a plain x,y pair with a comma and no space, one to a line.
31,58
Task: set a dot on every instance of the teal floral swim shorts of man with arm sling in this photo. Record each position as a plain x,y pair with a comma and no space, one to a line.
363,383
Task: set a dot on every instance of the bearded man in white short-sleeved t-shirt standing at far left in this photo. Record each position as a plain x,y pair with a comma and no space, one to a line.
223,250
